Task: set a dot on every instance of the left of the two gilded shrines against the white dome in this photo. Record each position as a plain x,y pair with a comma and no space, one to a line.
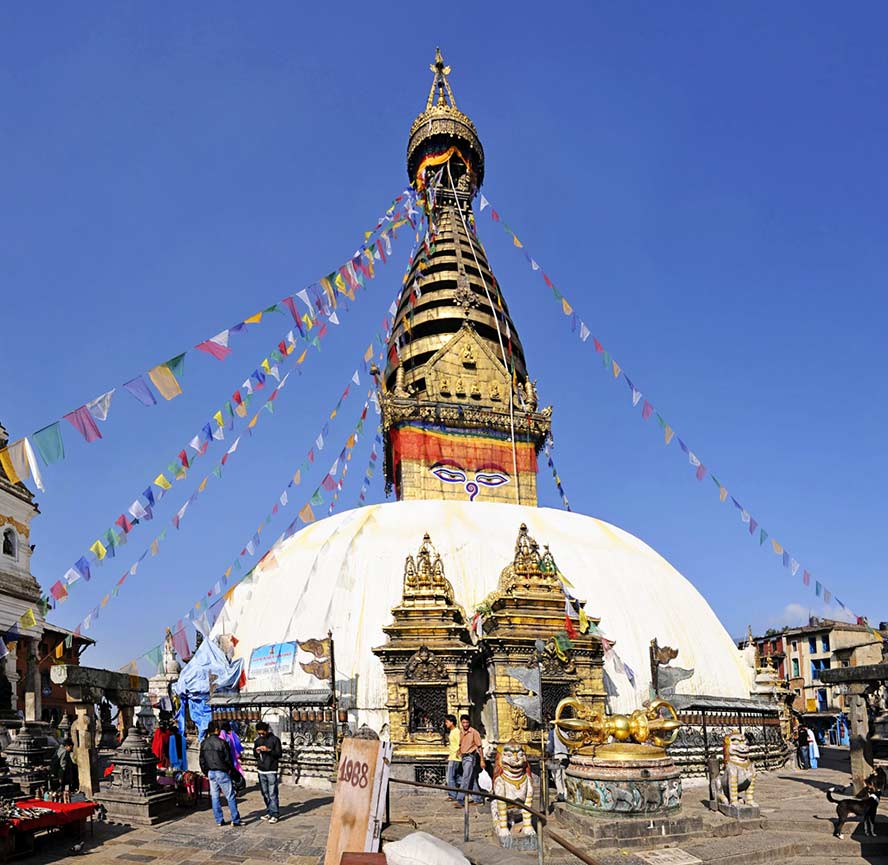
426,660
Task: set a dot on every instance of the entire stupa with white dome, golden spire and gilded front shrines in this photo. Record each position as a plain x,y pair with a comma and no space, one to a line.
421,634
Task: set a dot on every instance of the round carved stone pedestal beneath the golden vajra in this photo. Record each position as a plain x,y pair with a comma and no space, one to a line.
602,787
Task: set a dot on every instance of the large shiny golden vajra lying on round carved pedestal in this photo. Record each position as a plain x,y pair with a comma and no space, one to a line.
656,724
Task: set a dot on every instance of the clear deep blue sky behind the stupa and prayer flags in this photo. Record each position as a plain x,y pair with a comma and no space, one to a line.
704,182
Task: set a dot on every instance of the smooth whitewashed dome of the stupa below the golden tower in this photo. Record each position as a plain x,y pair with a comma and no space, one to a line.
345,572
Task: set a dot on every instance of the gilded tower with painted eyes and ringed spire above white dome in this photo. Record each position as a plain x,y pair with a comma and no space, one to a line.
460,413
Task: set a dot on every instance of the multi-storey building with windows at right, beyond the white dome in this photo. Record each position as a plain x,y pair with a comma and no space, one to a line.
801,654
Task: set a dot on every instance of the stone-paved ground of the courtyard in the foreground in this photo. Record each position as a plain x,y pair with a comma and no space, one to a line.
797,829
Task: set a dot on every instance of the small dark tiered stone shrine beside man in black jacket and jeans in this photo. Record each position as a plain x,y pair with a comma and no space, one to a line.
133,796
